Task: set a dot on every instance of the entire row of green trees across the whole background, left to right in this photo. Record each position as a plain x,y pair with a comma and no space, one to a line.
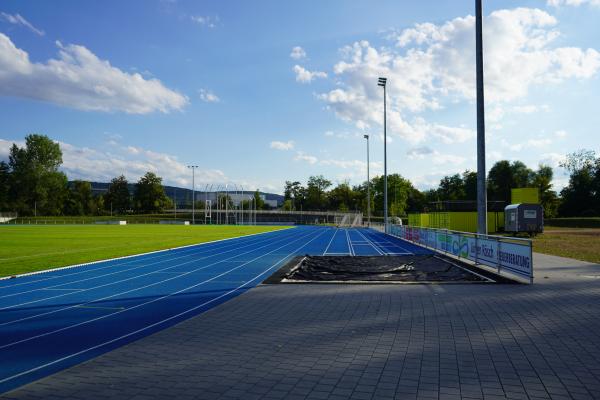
31,184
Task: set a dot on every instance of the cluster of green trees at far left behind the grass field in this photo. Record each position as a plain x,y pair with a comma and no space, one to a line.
31,184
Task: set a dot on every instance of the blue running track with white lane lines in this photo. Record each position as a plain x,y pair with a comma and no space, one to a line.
54,320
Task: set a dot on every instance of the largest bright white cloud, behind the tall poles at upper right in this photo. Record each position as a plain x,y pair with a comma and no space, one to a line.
432,66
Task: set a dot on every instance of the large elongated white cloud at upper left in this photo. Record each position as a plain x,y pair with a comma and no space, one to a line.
81,80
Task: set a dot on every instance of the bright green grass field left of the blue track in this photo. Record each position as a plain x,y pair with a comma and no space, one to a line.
39,247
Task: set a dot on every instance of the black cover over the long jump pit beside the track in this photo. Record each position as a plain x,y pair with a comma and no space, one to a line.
372,269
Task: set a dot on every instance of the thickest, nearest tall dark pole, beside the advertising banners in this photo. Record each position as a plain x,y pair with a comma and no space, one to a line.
481,186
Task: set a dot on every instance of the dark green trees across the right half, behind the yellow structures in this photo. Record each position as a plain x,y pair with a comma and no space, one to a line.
581,197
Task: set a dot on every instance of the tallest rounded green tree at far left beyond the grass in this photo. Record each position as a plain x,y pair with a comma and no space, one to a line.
36,185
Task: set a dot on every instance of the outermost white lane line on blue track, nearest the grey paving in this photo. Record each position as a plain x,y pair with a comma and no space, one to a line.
156,323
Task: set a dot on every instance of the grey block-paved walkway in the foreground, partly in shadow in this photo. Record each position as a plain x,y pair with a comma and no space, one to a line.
464,341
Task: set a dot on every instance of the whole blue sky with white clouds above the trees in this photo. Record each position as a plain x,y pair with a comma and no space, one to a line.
260,92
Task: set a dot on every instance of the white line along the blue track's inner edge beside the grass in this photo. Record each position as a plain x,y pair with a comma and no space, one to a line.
92,263
